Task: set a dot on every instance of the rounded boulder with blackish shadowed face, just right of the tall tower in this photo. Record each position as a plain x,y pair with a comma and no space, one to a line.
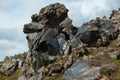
89,34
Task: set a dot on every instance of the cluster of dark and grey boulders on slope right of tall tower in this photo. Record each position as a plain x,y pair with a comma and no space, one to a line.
98,32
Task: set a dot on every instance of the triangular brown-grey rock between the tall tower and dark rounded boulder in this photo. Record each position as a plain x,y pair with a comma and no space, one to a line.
75,47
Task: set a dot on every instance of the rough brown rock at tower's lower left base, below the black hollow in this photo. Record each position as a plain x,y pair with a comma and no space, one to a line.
34,62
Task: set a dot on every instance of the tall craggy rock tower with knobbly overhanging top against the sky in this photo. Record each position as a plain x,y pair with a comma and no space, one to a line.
50,34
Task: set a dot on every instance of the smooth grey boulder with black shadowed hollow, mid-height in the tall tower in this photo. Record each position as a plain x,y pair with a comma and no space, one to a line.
47,43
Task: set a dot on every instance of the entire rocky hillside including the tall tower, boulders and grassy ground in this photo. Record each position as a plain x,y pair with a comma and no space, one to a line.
60,51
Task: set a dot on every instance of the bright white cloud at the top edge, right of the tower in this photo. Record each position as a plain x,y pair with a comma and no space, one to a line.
90,8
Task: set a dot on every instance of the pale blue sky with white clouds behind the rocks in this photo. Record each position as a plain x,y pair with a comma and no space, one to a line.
15,13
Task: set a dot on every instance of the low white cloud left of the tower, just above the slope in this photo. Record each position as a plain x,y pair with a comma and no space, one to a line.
9,48
